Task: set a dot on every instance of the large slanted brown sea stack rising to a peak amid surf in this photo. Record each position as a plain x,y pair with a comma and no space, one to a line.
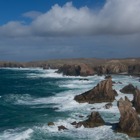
103,92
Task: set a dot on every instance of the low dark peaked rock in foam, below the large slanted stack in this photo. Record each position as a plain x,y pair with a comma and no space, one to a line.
94,120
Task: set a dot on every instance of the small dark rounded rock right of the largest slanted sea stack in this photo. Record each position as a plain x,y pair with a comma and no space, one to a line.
128,89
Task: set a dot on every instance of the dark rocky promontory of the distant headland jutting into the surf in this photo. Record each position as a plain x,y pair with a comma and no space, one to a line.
76,70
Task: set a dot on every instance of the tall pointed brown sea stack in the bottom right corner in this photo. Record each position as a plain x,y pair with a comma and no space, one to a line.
129,121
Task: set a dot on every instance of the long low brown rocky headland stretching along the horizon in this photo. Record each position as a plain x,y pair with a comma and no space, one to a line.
84,66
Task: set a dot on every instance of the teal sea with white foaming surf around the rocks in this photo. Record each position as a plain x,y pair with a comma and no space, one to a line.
30,98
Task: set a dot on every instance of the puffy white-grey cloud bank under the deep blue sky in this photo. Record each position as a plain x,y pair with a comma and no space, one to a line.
116,17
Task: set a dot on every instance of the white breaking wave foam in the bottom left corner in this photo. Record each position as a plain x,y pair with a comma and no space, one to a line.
16,135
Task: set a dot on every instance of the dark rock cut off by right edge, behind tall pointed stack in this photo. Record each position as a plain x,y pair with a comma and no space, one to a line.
136,101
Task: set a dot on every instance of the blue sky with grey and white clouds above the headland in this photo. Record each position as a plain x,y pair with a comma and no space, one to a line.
33,30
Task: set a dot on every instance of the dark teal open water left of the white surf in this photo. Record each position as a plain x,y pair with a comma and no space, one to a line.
14,86
